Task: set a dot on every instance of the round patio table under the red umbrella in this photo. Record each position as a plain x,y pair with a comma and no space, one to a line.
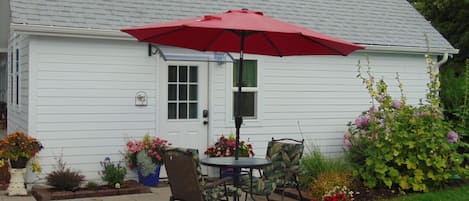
242,162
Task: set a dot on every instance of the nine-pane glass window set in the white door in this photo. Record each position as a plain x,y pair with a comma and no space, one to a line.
183,92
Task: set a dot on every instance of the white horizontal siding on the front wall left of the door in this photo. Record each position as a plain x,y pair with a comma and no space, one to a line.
84,99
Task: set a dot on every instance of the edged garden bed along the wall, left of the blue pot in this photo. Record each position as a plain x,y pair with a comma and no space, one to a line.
43,193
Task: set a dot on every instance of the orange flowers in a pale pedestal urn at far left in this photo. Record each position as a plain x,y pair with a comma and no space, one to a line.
18,149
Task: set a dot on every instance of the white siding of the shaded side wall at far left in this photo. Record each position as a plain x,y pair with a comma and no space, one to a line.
18,113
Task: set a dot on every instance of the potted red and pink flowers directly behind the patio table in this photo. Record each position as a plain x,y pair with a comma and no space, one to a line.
225,147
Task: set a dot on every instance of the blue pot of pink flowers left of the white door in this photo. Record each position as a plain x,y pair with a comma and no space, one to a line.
146,156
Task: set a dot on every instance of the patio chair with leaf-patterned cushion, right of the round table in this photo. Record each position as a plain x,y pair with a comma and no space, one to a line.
285,155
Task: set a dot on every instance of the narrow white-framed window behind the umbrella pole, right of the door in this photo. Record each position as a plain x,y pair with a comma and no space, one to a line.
248,107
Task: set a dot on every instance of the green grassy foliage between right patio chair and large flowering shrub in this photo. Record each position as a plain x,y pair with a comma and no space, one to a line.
315,163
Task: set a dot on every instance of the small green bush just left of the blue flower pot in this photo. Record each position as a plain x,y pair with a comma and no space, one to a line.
112,173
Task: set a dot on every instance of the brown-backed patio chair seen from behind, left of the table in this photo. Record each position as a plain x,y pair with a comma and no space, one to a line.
185,178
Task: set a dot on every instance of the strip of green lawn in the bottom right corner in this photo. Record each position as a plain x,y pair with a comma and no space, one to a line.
453,194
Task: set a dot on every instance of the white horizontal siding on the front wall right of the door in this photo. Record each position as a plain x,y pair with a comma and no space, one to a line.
318,93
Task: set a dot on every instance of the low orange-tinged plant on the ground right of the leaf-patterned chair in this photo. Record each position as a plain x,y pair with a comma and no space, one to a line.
327,181
